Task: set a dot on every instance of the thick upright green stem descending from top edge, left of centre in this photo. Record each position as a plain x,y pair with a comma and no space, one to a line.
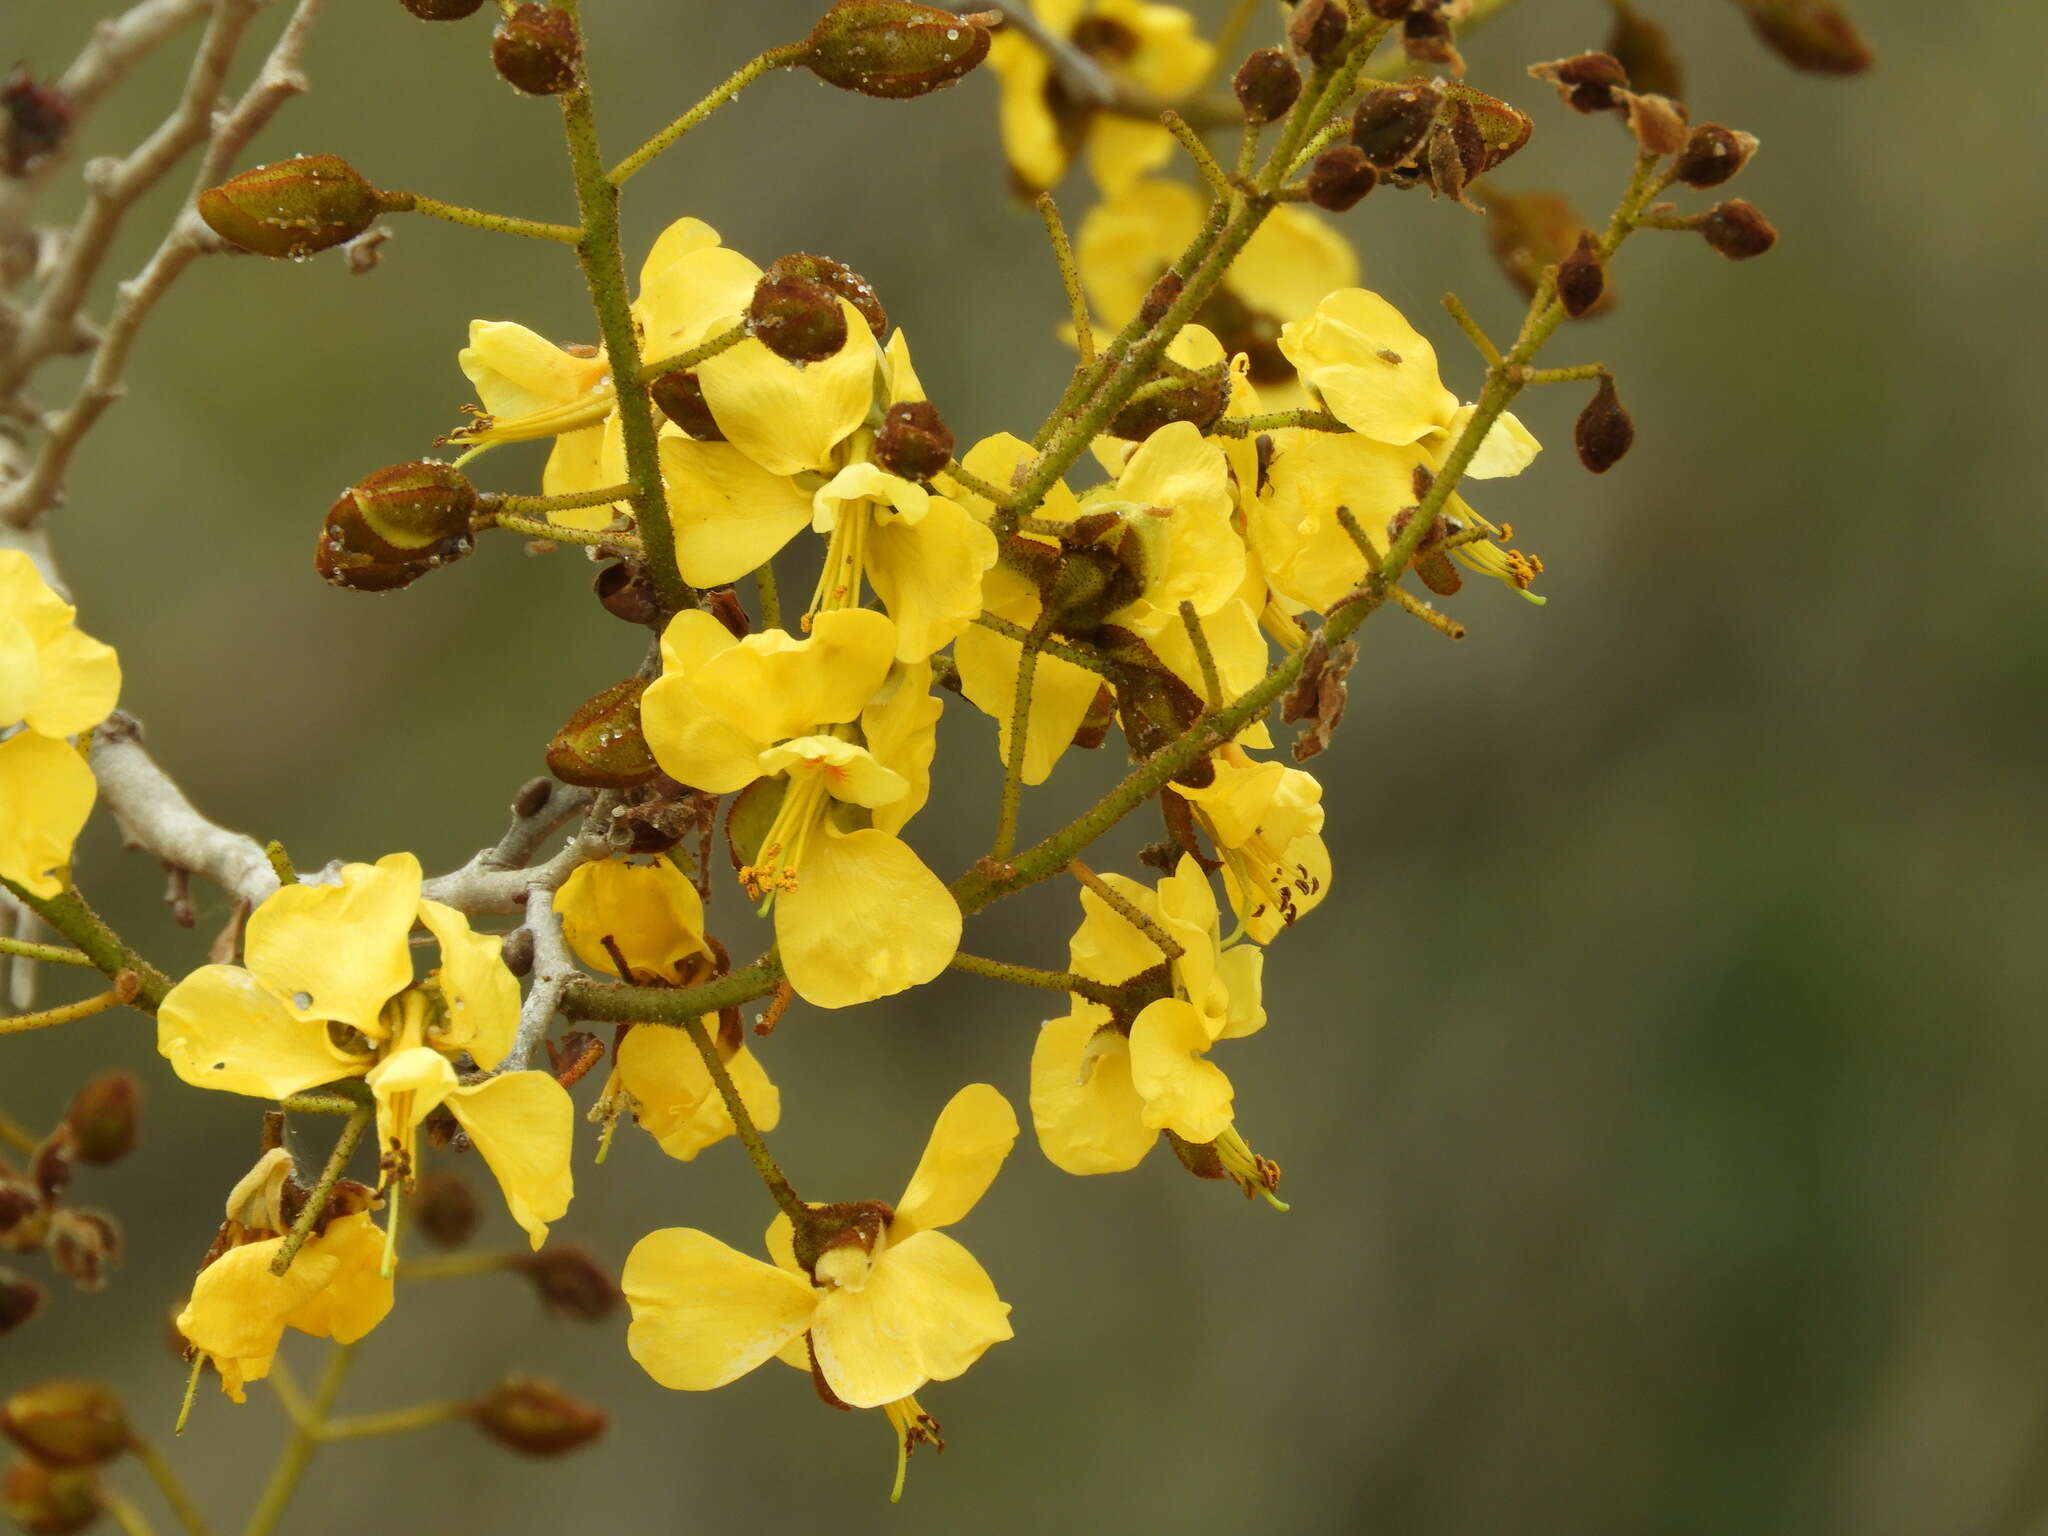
605,273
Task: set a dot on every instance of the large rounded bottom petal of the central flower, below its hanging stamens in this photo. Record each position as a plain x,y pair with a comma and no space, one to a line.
867,921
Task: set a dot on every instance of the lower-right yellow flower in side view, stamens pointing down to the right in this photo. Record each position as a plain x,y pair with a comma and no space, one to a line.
1105,1086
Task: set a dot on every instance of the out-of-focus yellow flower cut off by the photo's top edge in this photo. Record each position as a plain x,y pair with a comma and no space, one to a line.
1150,46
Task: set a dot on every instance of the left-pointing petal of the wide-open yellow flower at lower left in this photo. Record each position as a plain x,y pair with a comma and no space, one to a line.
224,1029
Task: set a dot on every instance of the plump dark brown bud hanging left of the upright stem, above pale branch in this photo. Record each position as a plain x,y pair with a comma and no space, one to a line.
396,525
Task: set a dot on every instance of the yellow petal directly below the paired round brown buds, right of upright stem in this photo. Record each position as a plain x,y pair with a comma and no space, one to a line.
790,417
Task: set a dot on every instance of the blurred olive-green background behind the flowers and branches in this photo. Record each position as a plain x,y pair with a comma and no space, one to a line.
1664,1109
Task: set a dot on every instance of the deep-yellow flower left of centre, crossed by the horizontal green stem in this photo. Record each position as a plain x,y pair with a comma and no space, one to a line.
656,921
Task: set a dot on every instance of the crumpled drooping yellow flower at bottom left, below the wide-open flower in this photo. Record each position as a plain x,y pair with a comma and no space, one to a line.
335,1291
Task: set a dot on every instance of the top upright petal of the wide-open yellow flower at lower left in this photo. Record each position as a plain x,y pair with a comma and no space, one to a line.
339,951
